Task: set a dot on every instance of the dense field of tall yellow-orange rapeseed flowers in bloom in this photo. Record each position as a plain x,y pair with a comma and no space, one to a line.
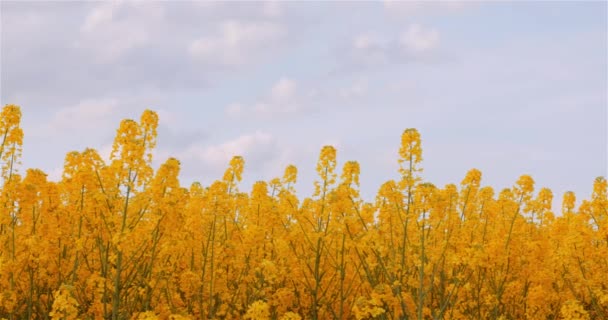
121,240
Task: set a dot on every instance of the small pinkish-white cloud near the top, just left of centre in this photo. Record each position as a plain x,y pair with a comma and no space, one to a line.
236,42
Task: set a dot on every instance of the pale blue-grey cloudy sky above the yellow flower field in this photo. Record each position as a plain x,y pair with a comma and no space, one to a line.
508,88
